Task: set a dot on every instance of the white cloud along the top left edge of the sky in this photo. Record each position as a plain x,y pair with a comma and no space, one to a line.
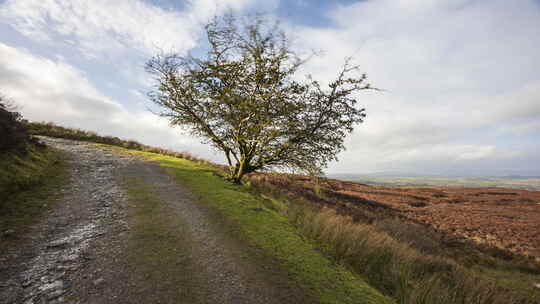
99,27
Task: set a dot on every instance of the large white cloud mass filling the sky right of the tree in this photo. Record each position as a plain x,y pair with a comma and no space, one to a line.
447,68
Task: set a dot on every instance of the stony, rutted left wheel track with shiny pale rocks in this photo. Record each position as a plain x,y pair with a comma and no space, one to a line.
40,270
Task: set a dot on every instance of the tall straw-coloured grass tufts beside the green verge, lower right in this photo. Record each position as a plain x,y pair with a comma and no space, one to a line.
394,267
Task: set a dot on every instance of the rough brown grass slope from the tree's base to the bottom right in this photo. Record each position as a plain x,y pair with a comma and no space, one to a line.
403,260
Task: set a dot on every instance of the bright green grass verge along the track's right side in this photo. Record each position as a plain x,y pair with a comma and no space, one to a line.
273,233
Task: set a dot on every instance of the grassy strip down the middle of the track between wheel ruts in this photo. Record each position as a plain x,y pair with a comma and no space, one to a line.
160,248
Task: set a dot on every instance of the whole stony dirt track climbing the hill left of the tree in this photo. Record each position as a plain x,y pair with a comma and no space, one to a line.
78,253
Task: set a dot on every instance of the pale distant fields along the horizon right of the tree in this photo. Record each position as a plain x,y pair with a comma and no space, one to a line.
471,182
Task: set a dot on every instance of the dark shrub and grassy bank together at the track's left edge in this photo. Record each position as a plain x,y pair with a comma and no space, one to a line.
29,172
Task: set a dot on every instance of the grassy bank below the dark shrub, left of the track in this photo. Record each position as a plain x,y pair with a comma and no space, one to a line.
29,184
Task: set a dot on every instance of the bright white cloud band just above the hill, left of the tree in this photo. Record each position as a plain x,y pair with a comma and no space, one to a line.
52,90
